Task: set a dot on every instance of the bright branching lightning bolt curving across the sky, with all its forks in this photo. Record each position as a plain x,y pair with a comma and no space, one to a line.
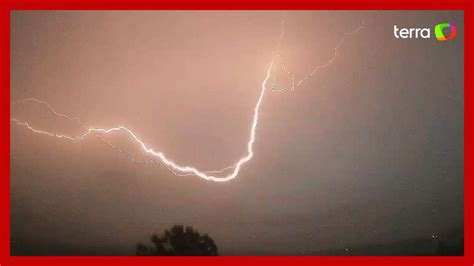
225,174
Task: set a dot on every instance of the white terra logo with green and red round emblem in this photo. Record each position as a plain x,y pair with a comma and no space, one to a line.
425,33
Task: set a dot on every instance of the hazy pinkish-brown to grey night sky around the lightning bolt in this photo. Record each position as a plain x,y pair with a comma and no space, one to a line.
369,151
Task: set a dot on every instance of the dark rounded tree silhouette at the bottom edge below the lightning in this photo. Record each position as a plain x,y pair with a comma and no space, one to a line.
179,241
